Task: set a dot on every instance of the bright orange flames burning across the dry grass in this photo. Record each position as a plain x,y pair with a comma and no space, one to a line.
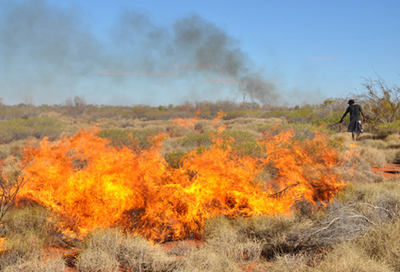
92,184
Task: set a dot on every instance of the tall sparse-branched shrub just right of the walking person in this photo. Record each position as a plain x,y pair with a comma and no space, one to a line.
382,103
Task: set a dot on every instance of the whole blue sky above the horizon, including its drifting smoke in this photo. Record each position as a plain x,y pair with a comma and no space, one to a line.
131,52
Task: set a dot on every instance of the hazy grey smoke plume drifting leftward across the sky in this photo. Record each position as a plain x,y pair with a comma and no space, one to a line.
51,54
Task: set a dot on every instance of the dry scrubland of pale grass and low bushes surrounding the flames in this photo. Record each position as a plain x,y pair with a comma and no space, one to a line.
358,231
